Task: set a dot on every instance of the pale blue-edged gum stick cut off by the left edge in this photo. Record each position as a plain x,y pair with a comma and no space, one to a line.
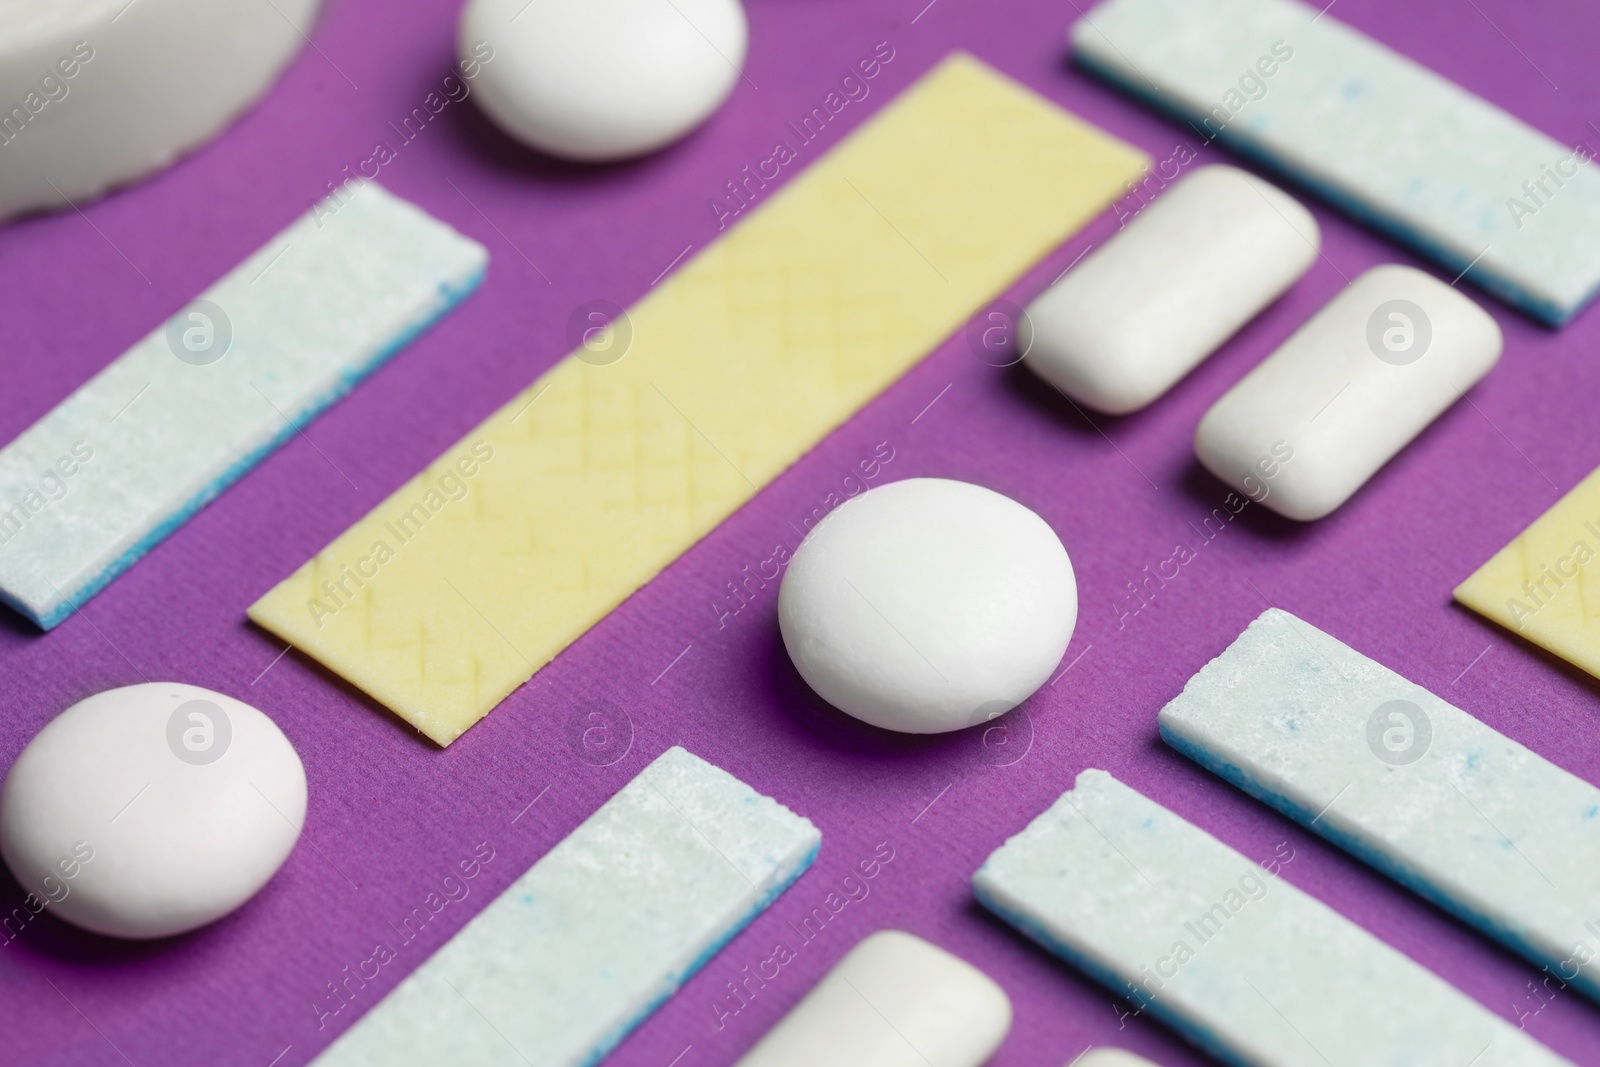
186,412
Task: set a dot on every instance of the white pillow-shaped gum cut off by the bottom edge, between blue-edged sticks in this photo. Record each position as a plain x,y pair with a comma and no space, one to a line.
895,1001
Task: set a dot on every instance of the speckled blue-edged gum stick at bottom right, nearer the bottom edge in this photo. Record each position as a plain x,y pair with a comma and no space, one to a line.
1223,949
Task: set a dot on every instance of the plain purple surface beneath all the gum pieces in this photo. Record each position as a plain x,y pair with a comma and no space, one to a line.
391,815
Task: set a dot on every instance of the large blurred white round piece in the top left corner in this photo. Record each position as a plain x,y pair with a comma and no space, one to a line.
97,94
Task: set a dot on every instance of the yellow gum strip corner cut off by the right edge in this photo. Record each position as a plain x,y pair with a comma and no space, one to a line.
1546,583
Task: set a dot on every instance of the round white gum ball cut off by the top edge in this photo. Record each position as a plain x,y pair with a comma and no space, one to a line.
598,81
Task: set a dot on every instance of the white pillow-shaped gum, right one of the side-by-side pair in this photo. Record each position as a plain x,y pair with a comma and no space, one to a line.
1348,391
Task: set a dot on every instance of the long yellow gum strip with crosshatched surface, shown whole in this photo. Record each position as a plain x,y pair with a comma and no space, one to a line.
583,489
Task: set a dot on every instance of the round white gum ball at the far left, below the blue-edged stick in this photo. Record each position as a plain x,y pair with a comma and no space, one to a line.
151,810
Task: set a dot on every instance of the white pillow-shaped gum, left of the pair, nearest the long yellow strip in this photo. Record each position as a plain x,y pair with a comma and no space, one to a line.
1162,295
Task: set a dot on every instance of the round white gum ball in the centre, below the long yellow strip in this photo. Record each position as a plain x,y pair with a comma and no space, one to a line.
929,605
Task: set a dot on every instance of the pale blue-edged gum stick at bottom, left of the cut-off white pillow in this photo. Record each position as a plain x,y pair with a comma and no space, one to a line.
580,949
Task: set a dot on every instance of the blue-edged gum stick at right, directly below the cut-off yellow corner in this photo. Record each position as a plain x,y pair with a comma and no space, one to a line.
1406,781
